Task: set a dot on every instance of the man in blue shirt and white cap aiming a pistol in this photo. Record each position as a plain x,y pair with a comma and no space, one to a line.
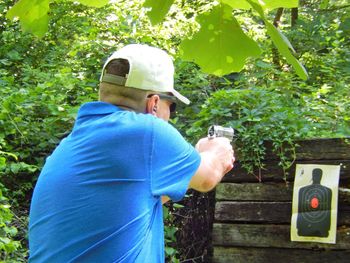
99,196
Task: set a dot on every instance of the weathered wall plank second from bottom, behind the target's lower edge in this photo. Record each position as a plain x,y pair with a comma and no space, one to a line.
278,236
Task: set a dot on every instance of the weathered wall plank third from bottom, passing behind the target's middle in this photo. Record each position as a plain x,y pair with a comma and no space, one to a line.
266,212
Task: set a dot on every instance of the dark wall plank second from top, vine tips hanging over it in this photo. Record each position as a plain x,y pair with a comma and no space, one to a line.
273,172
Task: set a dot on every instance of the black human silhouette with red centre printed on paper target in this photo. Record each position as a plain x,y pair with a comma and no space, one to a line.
314,208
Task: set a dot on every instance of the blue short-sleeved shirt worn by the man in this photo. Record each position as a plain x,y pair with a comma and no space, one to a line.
98,197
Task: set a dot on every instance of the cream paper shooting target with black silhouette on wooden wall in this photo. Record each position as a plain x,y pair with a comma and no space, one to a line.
315,203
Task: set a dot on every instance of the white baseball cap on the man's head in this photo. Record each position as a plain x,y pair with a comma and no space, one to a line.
150,69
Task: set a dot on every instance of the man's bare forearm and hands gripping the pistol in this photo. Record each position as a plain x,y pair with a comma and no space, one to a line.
216,160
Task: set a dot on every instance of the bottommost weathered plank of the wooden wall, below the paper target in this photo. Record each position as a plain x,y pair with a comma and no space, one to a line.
273,255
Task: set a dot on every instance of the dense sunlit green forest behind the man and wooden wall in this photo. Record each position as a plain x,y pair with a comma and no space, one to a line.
43,81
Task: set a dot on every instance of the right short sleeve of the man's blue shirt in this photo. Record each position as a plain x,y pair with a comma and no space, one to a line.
173,162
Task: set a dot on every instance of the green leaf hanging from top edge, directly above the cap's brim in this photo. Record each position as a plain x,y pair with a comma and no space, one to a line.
159,9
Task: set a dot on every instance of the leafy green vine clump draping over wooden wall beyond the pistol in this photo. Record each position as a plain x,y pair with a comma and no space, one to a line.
254,113
